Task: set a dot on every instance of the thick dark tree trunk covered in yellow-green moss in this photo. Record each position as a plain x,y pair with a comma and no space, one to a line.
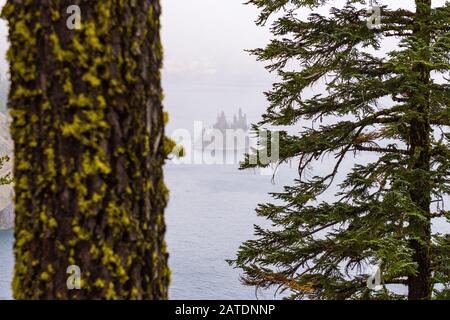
89,131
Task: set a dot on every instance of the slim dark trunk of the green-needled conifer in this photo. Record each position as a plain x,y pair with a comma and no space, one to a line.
419,284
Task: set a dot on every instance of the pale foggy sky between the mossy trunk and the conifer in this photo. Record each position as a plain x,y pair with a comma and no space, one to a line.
207,38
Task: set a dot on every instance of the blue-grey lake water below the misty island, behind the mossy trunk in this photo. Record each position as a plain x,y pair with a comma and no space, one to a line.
211,212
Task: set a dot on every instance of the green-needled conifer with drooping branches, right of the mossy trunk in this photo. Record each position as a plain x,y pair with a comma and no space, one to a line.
385,108
